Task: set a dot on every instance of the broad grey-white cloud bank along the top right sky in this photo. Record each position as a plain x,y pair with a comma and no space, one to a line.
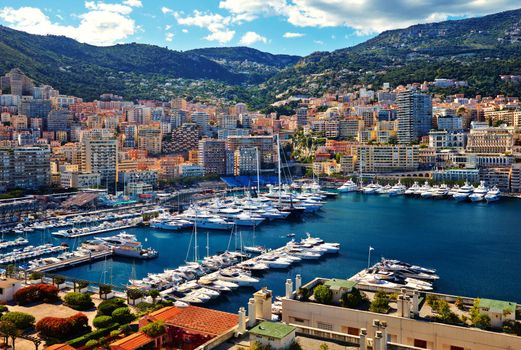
365,16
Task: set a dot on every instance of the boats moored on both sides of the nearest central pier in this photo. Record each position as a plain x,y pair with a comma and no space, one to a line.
202,280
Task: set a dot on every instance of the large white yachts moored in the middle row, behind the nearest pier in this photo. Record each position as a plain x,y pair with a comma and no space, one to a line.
225,213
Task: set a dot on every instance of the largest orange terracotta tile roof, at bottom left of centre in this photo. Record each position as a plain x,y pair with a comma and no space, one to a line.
197,319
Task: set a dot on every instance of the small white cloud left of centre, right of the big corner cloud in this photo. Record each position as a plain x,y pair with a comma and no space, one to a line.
217,25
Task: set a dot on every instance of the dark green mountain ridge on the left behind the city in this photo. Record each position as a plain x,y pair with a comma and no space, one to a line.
86,70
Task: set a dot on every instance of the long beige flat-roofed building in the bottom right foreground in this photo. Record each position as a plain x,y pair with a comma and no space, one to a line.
359,326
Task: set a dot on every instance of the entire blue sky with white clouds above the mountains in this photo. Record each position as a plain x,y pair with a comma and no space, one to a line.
295,27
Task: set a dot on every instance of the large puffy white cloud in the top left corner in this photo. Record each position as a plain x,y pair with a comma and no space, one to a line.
99,26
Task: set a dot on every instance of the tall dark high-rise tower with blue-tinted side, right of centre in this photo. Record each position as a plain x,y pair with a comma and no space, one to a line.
414,116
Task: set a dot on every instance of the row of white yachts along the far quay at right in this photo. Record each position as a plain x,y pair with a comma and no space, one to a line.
466,191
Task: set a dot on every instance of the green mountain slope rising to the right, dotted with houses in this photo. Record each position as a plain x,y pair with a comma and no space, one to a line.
477,50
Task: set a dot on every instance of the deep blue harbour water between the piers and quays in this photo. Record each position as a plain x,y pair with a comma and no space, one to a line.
473,246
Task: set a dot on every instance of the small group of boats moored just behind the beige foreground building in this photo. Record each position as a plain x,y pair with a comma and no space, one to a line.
397,274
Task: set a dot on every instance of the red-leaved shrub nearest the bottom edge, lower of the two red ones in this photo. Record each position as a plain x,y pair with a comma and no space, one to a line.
63,328
